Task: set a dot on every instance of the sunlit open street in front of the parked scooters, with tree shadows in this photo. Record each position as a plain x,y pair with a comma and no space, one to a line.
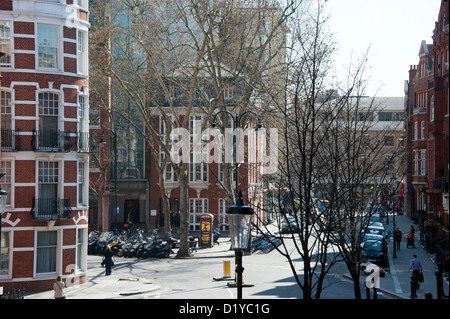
269,276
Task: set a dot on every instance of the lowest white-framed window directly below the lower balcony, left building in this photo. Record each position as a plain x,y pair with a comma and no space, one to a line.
46,252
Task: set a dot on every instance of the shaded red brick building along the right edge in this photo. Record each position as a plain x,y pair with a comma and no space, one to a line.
427,107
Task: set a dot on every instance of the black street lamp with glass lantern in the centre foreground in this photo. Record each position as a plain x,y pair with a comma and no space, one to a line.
239,219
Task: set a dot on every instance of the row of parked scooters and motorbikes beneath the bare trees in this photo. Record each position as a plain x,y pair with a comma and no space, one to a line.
135,246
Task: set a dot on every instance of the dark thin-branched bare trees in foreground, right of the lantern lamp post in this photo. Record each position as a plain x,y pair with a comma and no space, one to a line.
328,158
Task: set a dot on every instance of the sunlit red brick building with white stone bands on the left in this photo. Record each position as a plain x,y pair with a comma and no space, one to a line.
45,123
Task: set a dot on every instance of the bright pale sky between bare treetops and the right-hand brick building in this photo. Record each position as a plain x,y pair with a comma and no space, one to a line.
393,29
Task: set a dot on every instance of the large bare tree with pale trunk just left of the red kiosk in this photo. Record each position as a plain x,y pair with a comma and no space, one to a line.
174,59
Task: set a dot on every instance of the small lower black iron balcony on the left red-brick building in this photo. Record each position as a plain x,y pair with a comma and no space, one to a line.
50,208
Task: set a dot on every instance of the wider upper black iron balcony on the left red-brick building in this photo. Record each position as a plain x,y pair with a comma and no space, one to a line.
60,141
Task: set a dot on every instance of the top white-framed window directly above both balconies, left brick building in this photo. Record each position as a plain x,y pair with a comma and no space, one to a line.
48,44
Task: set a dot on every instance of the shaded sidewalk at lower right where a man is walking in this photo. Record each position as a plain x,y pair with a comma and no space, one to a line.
397,280
